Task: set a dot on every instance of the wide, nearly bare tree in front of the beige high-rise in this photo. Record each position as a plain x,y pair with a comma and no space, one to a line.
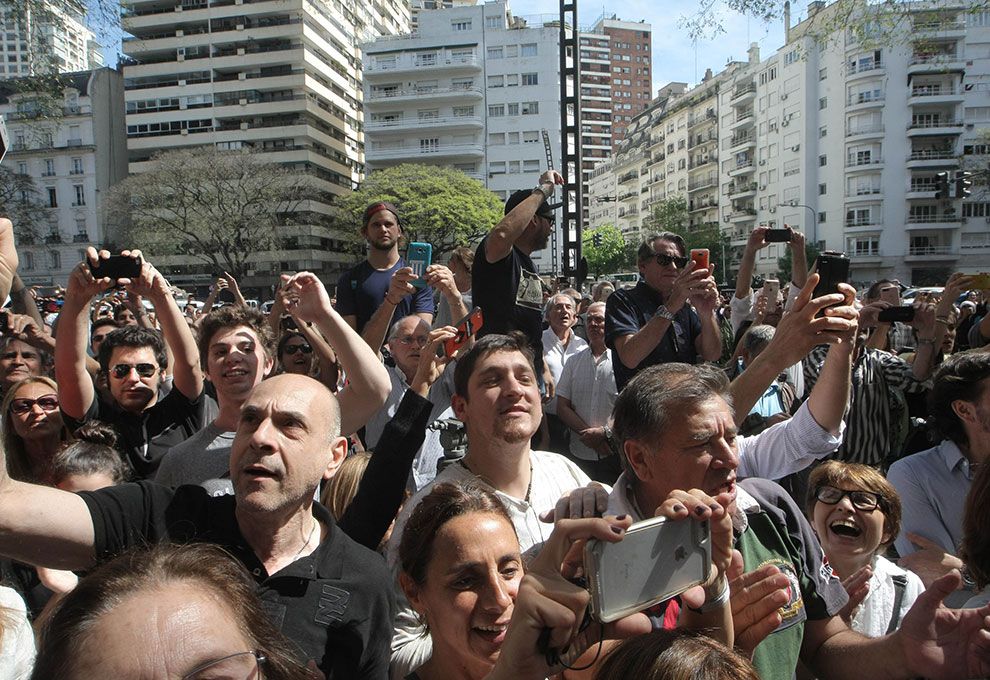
219,207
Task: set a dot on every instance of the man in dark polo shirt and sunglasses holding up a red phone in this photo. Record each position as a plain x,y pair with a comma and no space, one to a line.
653,323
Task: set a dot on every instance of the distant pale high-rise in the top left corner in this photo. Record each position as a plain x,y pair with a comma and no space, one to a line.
50,34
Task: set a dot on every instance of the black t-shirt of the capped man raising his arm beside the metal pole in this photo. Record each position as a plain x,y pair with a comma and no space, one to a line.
510,295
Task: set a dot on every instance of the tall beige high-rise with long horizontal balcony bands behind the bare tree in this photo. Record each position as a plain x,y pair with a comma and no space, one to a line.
282,77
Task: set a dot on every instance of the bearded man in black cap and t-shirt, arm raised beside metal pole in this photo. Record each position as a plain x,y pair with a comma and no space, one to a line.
504,281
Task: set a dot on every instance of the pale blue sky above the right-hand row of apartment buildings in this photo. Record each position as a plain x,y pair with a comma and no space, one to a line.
675,58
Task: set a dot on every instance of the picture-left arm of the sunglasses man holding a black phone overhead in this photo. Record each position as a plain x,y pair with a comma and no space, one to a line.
75,387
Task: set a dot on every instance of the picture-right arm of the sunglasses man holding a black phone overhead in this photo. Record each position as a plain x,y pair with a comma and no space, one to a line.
187,373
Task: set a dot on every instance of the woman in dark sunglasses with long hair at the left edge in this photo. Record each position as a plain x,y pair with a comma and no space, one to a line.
32,429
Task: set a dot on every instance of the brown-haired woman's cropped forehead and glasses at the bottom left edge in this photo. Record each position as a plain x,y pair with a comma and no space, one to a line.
186,611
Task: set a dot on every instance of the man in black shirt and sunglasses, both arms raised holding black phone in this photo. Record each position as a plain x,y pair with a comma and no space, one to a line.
132,359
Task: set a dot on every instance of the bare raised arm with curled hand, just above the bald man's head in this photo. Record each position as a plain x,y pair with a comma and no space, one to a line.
368,383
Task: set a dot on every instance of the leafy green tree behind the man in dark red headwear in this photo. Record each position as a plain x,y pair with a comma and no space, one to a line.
440,206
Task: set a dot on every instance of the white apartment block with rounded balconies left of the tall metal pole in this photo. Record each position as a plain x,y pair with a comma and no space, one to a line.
472,90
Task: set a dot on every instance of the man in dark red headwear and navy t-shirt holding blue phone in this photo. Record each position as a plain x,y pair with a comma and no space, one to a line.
365,289
